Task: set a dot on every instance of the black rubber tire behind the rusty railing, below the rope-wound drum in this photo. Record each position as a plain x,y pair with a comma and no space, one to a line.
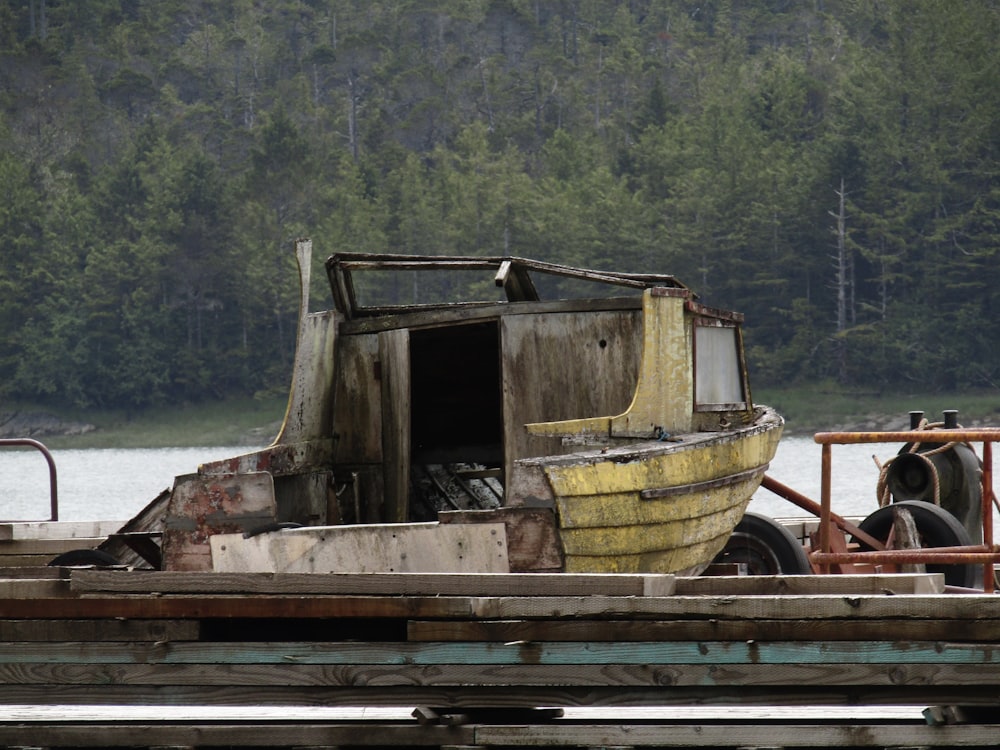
937,528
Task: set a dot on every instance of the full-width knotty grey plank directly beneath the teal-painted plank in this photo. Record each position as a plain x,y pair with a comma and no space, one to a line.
847,677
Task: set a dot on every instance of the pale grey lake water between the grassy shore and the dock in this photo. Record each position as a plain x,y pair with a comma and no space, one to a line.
116,483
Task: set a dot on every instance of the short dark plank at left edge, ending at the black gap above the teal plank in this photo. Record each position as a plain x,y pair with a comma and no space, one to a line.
99,630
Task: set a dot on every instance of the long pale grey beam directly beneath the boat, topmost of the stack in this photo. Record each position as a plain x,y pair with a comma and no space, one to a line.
433,584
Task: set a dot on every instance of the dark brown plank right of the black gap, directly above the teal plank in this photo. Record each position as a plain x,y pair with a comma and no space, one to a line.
706,629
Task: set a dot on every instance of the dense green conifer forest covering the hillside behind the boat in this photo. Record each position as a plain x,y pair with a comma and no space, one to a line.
827,167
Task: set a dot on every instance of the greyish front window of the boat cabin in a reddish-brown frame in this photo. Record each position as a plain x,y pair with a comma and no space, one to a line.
720,383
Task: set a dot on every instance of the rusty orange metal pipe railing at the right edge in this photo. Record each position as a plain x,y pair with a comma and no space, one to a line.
986,553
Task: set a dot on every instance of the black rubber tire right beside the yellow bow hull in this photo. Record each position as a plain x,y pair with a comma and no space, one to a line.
766,548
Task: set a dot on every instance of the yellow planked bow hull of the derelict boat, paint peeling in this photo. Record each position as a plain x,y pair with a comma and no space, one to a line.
659,507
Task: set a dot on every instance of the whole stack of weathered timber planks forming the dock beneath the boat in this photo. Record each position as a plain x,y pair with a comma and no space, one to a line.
132,658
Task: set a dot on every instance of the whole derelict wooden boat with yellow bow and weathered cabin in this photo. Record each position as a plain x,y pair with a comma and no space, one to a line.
605,431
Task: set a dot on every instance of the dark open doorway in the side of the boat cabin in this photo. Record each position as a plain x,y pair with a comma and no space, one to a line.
456,425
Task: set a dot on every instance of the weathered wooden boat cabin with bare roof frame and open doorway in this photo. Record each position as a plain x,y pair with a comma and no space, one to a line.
436,383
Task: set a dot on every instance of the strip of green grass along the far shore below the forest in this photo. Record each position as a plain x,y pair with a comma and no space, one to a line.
255,421
